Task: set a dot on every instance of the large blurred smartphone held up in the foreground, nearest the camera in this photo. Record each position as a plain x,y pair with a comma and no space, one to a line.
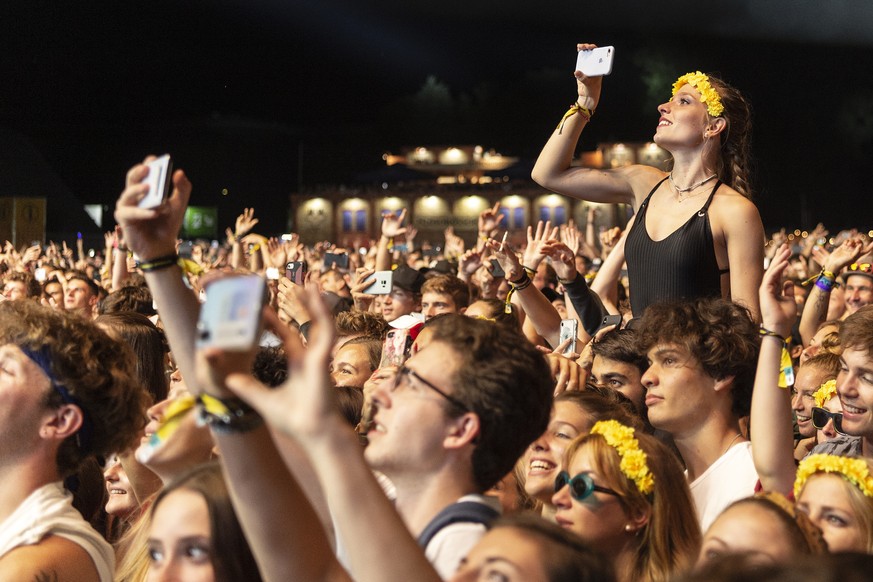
230,318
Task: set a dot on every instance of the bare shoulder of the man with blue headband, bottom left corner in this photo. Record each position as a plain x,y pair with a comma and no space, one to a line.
54,559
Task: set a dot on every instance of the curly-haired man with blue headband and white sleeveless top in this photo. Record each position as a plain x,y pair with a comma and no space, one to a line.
67,393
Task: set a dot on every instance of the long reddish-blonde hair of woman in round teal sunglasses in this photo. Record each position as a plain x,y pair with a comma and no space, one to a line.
670,540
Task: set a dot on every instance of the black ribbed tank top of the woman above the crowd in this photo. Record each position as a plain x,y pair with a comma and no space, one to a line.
683,265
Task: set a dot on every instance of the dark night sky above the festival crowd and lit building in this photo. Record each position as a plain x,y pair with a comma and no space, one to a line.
260,97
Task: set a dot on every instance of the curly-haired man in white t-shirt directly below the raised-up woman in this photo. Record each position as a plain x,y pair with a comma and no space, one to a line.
702,358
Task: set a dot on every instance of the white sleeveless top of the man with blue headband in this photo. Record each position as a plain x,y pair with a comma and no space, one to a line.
49,511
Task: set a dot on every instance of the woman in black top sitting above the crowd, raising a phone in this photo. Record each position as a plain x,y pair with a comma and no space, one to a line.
696,232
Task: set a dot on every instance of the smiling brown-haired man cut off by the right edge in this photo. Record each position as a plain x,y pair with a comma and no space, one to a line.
855,387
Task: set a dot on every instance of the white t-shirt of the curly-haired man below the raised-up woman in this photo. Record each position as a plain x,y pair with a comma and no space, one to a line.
730,478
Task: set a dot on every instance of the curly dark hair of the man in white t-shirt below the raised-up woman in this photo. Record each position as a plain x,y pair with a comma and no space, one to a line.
717,332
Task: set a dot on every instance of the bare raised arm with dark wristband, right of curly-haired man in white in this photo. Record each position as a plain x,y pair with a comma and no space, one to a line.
771,427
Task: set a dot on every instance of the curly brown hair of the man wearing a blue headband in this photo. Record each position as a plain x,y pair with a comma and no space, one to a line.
97,371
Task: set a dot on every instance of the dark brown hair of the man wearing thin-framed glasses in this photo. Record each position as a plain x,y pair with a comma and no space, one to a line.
506,382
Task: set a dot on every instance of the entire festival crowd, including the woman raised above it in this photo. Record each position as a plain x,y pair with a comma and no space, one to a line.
684,400
